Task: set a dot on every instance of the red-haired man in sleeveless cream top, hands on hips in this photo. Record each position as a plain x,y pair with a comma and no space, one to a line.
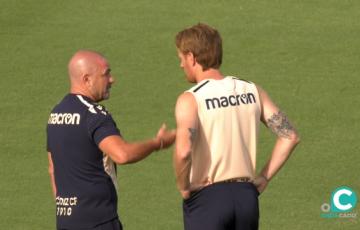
217,127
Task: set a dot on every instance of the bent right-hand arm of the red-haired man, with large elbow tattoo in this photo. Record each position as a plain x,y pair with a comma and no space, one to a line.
287,139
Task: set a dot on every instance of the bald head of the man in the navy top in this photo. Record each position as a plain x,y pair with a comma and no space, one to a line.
89,74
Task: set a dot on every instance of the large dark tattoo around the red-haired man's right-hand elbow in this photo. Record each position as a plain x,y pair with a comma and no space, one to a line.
280,125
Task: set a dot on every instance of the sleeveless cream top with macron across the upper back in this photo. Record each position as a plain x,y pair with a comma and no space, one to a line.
229,116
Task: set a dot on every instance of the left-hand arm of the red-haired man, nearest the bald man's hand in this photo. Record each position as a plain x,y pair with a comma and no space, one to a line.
186,131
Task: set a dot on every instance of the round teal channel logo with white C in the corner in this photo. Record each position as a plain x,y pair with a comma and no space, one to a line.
342,204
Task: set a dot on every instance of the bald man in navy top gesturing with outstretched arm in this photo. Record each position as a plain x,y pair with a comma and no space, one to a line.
84,145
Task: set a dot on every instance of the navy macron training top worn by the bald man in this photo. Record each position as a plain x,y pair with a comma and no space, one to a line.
86,195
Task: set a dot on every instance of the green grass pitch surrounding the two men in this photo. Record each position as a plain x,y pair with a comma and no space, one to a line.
304,53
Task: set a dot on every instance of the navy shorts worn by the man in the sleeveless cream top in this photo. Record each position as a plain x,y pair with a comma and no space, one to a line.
223,206
